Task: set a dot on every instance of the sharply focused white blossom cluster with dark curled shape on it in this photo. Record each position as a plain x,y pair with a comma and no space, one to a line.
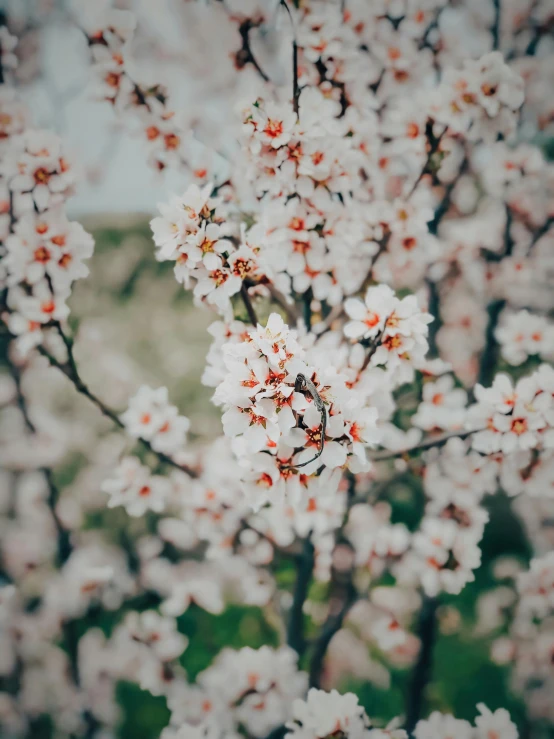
285,434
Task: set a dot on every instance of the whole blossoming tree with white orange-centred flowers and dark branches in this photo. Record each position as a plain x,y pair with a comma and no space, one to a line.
369,220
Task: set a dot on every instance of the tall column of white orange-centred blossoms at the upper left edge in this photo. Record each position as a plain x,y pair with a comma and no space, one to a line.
43,252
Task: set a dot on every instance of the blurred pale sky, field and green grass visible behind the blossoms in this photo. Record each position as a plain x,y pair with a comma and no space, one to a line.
137,325
